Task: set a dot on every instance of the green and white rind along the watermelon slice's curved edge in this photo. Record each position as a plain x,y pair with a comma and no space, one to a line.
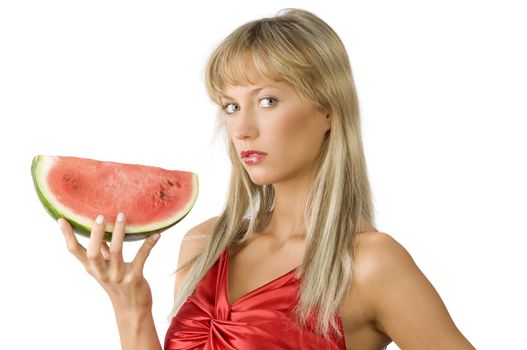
85,229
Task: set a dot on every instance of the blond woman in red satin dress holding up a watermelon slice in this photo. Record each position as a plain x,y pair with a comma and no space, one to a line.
294,260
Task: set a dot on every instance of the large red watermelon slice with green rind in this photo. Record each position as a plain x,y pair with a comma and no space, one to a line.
78,189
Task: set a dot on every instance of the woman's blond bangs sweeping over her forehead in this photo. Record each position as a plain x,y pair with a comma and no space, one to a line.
277,51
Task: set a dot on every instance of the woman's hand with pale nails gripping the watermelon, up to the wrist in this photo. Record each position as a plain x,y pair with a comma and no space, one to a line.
124,282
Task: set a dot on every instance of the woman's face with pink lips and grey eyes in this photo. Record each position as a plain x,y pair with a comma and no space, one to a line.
269,117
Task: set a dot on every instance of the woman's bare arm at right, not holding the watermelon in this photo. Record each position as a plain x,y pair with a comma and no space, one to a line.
404,303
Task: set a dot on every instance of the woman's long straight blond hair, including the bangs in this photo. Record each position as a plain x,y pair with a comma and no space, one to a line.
299,48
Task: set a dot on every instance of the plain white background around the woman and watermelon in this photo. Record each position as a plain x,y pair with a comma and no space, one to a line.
442,89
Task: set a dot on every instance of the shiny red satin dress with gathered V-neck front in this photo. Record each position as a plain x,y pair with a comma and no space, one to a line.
261,319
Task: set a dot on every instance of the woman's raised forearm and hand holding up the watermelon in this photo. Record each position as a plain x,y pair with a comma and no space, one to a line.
123,282
